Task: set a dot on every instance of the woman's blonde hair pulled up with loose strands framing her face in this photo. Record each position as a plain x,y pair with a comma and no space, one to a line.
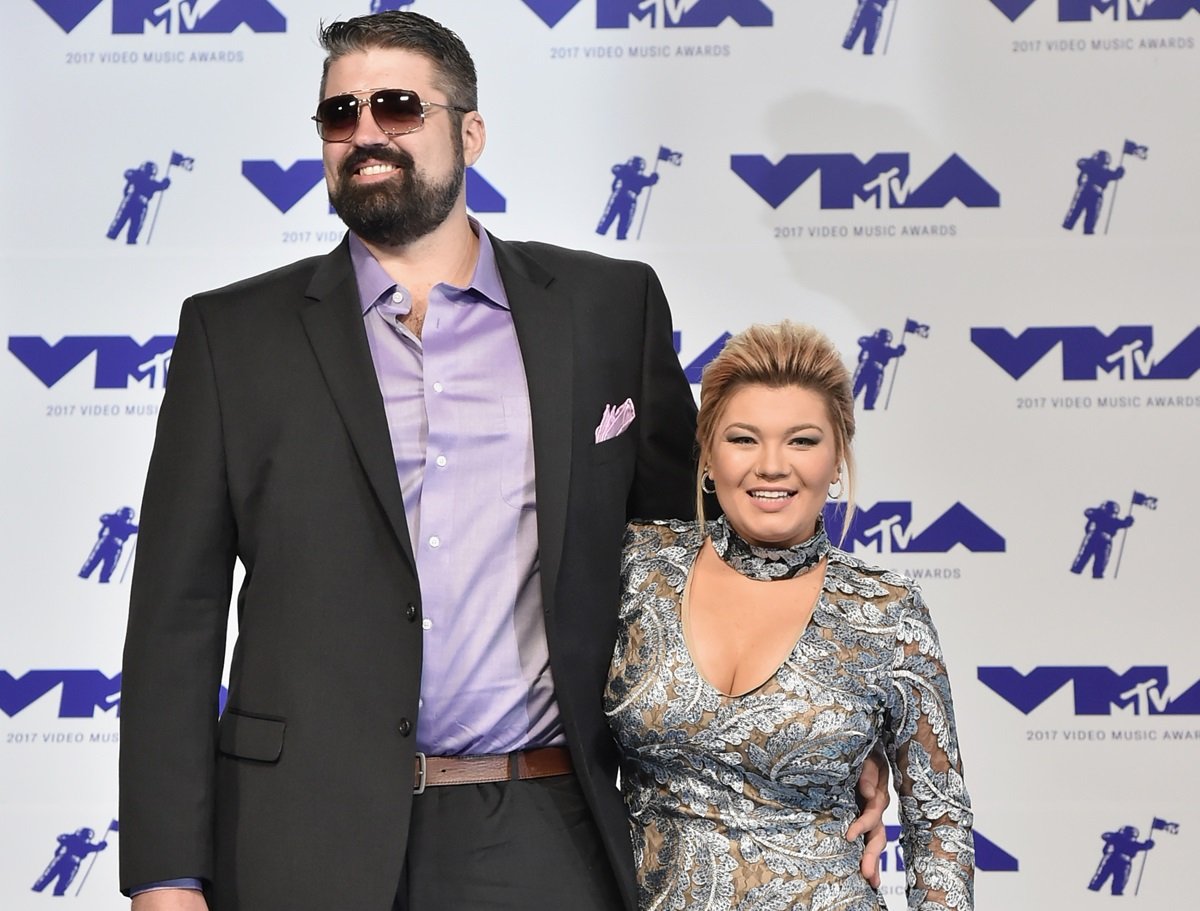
784,355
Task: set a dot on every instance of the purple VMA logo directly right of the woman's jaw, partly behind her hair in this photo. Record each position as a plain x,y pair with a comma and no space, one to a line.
887,529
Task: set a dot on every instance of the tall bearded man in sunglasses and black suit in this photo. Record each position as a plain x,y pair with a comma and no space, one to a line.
415,710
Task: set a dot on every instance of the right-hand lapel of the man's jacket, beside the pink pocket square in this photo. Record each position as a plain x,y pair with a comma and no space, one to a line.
545,334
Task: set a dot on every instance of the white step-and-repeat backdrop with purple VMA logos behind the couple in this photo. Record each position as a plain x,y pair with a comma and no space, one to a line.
992,206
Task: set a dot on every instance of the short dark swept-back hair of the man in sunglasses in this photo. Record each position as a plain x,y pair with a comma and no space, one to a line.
407,32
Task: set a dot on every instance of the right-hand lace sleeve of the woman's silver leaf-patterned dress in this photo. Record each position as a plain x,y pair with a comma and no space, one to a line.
923,748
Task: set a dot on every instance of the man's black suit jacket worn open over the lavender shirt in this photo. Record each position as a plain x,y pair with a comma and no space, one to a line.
273,447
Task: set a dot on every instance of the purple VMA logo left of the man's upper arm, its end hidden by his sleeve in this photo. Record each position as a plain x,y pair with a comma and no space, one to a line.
118,358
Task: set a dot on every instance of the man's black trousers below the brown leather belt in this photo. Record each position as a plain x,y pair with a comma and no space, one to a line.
508,847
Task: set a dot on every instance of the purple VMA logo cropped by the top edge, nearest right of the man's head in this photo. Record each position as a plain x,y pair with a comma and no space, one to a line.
661,14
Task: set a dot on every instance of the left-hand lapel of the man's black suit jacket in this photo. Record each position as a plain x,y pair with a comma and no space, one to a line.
333,319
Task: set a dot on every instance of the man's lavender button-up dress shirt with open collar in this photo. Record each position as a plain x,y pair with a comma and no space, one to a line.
459,415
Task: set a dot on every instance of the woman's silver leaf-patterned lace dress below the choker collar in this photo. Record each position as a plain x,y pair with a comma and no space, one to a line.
743,802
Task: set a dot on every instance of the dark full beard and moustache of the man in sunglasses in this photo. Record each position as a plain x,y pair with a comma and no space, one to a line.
399,211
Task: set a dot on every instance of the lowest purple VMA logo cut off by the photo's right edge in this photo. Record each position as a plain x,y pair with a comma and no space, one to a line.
1096,690
